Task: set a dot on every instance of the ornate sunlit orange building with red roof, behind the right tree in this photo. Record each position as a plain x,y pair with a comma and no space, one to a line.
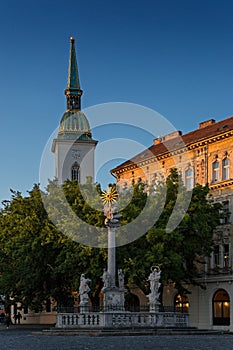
202,156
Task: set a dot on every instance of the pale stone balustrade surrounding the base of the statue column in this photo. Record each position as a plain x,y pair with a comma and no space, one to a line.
122,320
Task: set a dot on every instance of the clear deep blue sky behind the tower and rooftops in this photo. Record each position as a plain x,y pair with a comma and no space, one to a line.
175,57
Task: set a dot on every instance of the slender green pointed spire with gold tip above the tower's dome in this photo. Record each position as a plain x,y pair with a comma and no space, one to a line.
73,92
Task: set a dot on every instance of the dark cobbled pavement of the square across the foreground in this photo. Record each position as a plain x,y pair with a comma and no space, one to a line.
19,338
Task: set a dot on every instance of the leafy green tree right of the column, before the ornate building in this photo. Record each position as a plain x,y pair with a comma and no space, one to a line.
180,238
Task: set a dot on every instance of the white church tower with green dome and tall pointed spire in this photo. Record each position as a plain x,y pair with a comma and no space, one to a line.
74,147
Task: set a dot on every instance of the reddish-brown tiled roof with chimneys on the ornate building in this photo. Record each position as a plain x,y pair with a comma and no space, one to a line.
176,141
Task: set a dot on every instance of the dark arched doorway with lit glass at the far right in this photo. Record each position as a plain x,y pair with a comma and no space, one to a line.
221,308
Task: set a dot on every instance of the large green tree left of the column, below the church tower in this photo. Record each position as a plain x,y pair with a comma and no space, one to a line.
36,260
